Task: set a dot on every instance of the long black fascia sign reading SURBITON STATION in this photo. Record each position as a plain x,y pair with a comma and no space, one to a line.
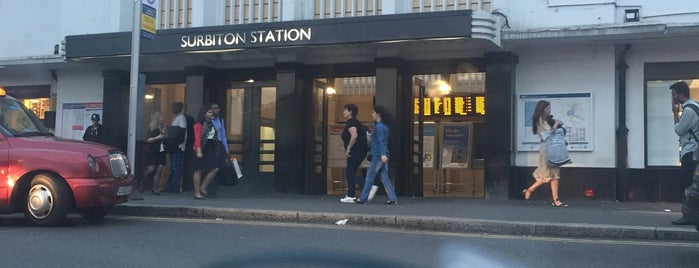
354,30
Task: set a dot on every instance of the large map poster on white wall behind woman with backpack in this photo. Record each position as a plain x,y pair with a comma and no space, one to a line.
573,109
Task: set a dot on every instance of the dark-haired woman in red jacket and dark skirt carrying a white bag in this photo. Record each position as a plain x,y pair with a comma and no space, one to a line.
209,152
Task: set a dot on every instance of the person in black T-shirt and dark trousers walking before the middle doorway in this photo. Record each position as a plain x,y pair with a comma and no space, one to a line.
354,138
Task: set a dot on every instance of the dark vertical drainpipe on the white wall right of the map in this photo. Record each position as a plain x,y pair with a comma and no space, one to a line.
622,141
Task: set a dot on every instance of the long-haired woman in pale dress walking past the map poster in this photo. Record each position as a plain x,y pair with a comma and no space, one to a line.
542,121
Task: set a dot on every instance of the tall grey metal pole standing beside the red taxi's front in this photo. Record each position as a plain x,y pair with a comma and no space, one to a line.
133,90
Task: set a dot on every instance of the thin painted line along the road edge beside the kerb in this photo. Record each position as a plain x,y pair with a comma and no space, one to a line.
605,241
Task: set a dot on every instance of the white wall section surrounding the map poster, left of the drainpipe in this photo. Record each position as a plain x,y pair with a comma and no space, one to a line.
573,68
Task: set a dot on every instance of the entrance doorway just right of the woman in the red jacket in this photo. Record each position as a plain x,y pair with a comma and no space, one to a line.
250,120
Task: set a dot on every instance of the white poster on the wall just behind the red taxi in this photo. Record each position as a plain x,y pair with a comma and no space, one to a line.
76,118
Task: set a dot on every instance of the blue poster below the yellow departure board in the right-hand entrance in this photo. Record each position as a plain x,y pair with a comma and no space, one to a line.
455,141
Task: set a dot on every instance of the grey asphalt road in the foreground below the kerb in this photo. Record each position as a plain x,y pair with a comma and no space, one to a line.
165,242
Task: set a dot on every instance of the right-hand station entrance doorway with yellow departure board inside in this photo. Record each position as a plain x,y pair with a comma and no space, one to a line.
449,111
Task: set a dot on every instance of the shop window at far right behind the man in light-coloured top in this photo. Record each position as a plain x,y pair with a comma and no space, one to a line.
662,143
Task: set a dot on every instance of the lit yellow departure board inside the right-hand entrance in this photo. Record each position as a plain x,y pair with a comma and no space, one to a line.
466,105
